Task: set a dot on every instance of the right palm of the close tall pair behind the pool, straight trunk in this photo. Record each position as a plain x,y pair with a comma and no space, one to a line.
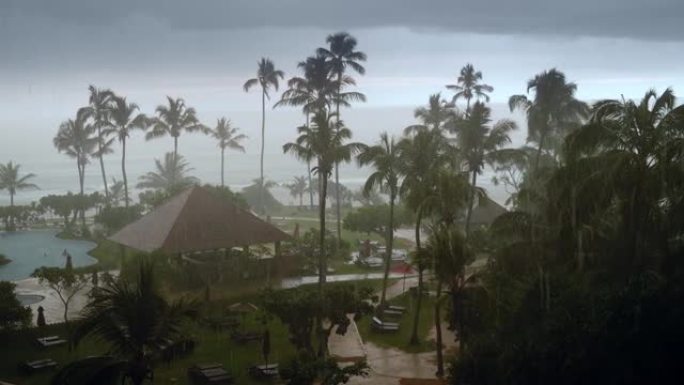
124,119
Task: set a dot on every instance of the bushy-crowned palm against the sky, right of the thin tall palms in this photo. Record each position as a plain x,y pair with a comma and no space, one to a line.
553,111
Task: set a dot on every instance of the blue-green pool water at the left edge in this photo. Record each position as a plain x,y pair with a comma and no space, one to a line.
32,249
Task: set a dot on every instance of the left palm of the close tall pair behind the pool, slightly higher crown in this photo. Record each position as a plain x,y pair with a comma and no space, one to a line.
98,109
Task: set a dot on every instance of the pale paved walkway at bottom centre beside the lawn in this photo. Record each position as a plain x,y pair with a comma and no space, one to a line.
389,365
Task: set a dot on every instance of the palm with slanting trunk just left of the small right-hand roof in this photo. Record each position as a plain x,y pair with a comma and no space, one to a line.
481,143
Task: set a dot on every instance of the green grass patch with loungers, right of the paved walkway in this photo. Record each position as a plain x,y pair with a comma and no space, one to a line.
401,338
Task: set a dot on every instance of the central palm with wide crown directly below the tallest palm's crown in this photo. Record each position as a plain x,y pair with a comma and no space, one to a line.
327,141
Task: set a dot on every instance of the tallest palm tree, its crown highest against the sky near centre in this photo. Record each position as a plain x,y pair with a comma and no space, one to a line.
341,55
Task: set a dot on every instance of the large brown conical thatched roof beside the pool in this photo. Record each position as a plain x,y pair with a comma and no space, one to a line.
196,220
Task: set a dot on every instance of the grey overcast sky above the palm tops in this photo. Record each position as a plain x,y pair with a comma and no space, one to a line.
204,50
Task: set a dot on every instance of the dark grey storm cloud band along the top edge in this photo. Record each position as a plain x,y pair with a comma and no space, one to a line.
640,19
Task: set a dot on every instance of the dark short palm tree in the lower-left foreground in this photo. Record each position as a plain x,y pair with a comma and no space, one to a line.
136,320
